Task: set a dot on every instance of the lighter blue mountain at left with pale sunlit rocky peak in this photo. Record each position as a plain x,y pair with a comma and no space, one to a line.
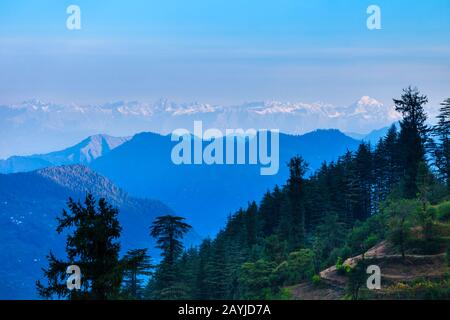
82,153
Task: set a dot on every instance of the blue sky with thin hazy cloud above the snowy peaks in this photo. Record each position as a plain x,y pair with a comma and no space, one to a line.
223,51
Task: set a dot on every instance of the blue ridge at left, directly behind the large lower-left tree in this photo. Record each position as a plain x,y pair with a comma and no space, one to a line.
29,205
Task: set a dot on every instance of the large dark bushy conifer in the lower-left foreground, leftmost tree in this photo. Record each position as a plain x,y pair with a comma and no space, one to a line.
92,244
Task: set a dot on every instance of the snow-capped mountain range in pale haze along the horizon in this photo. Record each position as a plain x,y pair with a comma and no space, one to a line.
37,127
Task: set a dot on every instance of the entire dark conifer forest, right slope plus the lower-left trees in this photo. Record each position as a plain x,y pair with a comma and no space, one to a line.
395,190
